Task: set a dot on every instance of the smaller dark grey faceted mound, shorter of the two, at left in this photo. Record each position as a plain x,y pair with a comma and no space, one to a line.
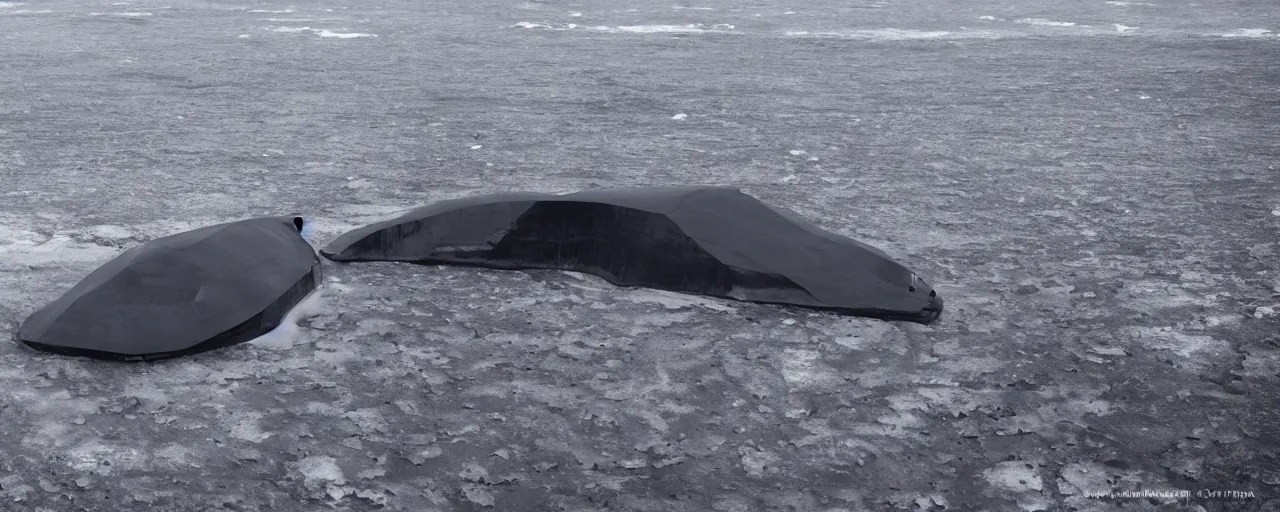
184,294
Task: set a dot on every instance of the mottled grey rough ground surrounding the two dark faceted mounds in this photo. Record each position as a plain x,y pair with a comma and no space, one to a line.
1092,184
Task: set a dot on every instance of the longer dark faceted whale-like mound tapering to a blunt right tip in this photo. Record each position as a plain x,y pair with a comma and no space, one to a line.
714,241
